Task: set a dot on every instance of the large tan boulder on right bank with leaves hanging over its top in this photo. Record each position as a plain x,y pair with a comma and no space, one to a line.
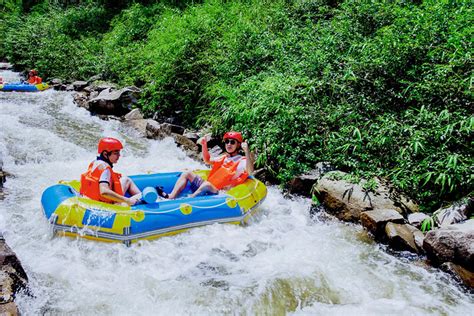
347,200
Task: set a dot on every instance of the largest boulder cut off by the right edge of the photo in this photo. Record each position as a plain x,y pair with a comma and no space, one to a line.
454,243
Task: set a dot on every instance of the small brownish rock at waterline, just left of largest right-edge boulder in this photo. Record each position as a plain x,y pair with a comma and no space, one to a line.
401,237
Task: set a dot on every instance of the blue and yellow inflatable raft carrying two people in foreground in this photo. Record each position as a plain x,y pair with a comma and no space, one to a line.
73,215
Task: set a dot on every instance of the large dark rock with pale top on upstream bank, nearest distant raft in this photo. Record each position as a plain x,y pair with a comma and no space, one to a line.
117,102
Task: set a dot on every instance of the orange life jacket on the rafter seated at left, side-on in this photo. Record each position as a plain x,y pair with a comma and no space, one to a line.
90,182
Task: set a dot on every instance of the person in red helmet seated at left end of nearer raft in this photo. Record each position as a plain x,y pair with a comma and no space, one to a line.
101,183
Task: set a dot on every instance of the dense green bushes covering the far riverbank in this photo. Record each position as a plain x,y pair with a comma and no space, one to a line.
377,88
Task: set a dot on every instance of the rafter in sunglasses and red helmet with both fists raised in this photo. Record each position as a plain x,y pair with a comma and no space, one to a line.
227,171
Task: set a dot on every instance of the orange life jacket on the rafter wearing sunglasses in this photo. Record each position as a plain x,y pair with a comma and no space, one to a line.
222,173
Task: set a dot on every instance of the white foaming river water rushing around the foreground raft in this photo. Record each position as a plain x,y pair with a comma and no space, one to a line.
284,262
